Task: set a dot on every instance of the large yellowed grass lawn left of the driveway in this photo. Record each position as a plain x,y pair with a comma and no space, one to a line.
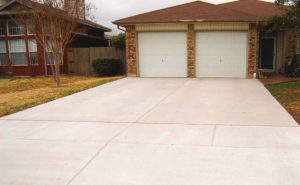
21,93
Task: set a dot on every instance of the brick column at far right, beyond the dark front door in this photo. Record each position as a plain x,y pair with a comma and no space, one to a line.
290,47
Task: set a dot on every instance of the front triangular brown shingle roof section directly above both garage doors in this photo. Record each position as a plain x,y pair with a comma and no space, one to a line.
194,11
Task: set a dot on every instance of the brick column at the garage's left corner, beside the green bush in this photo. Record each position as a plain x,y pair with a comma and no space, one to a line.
131,55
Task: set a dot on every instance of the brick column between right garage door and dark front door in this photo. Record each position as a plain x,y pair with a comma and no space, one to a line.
253,37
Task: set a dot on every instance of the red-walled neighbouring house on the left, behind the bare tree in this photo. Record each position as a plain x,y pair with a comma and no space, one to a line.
18,46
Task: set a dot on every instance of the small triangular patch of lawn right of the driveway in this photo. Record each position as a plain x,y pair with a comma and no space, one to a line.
288,94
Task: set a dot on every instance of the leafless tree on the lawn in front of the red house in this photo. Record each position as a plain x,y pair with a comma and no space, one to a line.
53,24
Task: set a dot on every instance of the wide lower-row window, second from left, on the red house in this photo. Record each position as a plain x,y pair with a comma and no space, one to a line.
17,51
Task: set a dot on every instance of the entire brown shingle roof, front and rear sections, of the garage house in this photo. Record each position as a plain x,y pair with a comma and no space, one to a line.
199,11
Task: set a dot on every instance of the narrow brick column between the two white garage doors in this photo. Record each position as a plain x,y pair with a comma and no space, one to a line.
191,51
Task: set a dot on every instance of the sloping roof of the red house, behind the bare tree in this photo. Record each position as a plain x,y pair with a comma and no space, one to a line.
28,4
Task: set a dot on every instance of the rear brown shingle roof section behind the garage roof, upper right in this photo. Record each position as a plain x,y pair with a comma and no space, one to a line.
258,8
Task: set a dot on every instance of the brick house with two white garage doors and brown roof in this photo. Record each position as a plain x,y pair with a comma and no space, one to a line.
199,39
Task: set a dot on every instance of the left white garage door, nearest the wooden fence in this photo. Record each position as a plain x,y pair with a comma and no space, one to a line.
162,54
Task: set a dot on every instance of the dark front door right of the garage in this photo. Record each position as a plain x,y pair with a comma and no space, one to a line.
267,53
